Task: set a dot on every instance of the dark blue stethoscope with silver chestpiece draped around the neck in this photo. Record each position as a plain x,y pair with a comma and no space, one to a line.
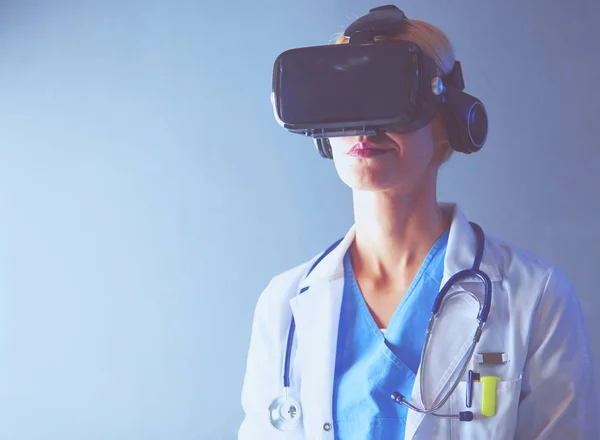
285,411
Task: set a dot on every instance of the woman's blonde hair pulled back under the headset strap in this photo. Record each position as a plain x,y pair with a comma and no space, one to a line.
434,43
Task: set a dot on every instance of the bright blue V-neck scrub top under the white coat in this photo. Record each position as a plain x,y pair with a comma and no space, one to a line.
370,366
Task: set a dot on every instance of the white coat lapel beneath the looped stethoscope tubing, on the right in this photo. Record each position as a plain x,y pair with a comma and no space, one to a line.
455,327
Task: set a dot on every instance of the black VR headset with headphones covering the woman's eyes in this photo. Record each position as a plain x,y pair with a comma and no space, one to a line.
369,87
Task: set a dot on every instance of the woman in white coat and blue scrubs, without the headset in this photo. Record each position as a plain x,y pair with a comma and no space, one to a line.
355,369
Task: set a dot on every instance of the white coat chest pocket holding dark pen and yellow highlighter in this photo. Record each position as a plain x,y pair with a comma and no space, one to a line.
500,426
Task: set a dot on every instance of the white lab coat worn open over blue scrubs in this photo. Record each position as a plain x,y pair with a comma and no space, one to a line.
547,388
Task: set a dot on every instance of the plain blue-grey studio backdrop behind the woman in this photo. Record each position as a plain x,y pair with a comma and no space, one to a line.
147,194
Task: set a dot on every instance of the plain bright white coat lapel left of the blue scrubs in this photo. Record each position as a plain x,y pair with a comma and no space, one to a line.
317,313
